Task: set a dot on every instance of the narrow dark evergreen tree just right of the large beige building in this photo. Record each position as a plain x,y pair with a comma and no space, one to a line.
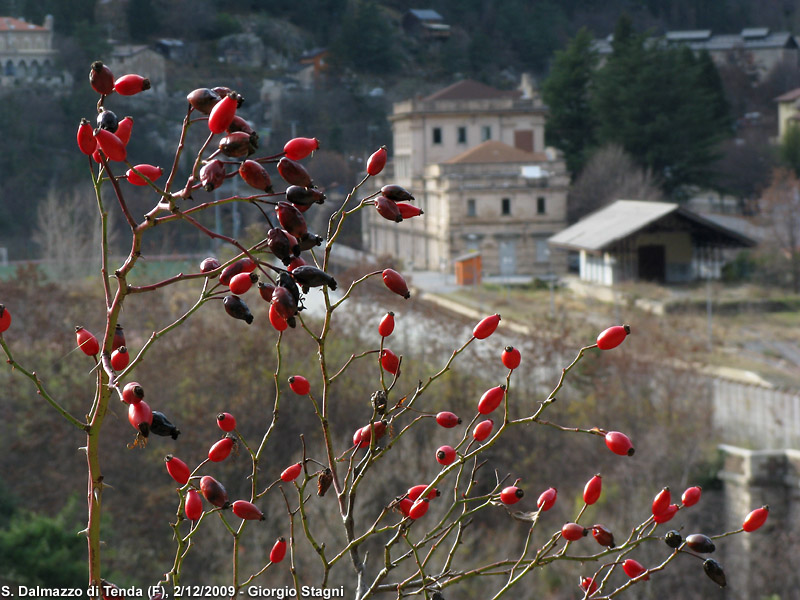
567,92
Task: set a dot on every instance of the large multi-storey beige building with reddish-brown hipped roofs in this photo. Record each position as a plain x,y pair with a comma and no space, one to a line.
474,158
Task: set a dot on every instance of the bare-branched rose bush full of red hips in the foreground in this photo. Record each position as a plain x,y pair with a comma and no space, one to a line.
420,528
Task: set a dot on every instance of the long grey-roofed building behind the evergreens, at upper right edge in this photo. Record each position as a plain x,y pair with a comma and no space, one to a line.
757,50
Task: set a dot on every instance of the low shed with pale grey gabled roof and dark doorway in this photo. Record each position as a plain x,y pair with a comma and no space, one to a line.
634,240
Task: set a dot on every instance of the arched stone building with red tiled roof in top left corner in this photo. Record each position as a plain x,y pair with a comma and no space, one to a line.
27,54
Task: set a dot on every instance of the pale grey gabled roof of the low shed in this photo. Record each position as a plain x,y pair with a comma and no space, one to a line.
601,229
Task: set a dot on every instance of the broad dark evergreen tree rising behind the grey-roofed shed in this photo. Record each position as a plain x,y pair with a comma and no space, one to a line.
661,105
